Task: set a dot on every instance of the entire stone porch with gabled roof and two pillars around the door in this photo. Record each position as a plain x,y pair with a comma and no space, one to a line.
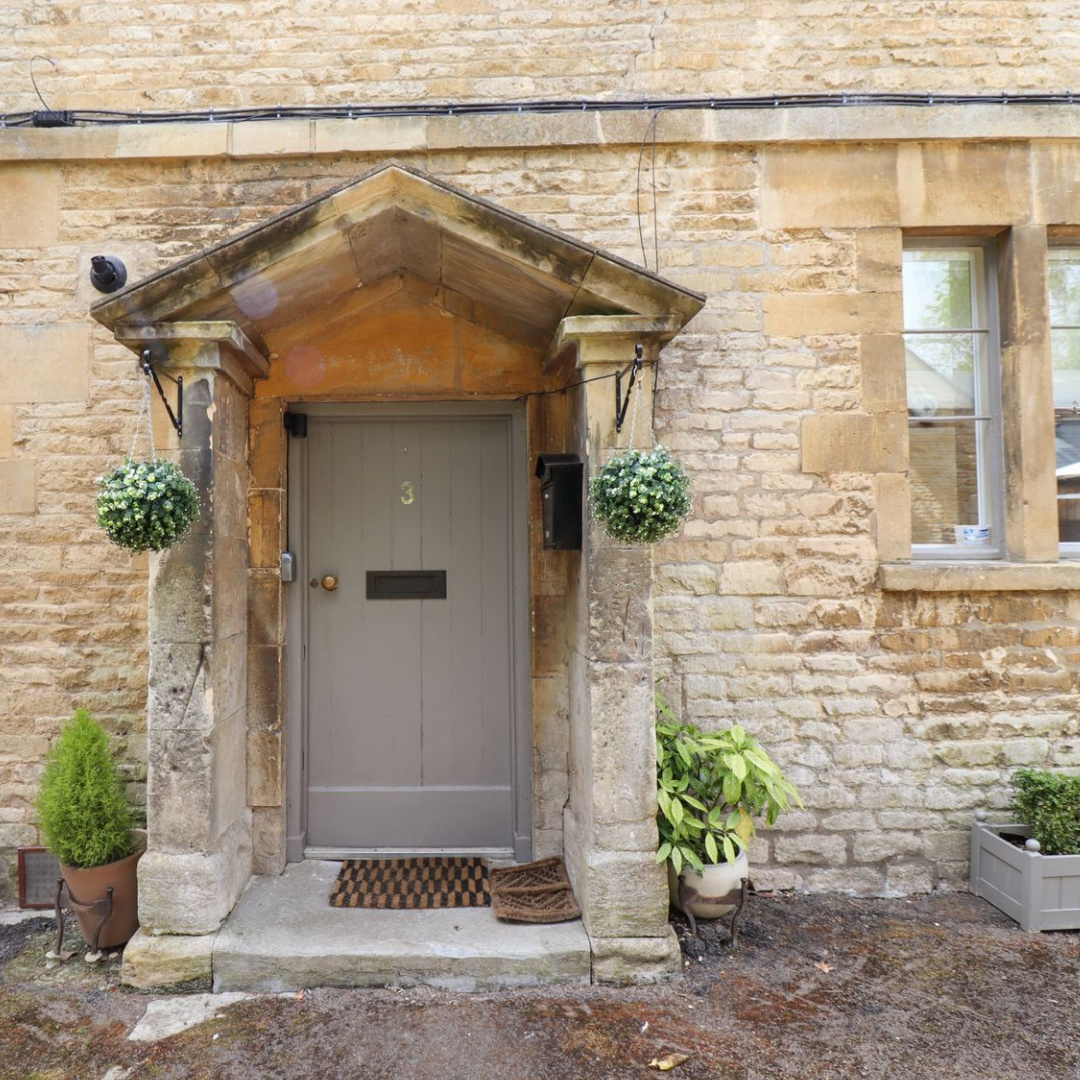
393,288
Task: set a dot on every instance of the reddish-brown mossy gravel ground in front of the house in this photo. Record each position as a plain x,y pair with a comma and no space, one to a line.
819,987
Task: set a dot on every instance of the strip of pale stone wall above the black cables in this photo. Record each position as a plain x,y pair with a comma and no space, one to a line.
151,56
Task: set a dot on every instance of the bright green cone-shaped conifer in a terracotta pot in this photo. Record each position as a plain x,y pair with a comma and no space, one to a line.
89,826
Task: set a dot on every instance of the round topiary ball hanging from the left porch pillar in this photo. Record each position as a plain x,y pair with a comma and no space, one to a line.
146,505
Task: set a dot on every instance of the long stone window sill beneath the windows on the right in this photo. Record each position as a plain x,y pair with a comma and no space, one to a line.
981,577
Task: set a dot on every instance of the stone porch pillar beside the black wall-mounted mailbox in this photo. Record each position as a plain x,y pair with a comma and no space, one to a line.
611,818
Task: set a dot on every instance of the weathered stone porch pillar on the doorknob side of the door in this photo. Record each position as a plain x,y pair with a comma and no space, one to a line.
199,855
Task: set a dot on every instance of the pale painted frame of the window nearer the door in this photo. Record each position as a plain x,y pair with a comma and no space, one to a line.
989,433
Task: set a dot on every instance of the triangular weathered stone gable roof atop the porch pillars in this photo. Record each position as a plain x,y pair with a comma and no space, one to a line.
396,237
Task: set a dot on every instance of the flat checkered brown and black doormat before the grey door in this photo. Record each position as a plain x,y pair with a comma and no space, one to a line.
412,884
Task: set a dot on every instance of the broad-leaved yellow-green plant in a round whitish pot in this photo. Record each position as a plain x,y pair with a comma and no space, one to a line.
711,787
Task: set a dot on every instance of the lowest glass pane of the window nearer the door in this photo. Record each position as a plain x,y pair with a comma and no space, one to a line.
944,471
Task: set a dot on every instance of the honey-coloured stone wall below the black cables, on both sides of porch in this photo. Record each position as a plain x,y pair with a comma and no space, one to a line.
898,703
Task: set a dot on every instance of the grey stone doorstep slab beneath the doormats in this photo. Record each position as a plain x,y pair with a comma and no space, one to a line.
285,936
